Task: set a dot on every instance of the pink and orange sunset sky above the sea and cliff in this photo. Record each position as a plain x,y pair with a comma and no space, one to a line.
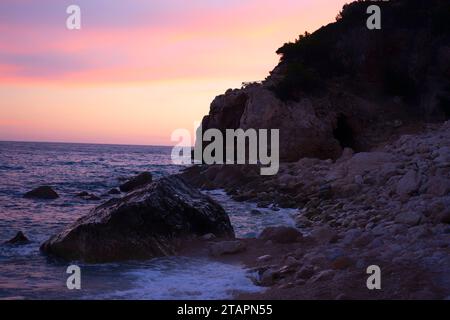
138,69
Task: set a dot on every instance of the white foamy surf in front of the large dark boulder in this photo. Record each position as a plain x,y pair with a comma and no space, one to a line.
179,278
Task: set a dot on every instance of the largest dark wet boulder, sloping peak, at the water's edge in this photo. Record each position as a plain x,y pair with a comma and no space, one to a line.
148,223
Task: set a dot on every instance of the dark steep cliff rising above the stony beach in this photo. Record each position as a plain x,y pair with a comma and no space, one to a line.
347,86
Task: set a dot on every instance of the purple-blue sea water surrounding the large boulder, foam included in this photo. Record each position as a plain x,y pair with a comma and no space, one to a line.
73,168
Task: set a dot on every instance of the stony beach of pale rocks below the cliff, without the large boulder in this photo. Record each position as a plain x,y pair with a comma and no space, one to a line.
389,207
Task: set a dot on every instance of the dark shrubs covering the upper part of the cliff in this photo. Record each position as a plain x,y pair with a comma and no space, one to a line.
395,59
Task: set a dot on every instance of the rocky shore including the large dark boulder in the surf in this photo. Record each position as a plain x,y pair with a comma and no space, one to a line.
389,207
